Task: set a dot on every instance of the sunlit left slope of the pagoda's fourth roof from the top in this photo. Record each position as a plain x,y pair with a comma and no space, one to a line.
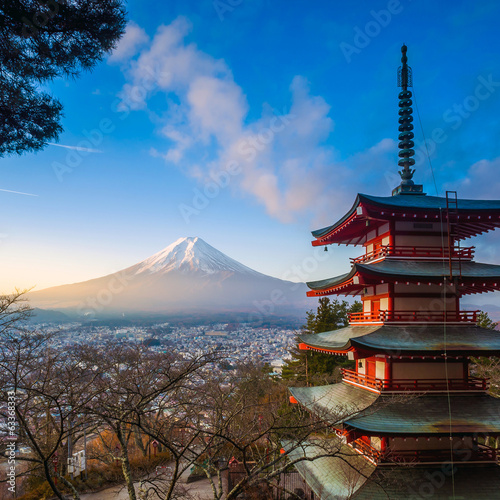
334,403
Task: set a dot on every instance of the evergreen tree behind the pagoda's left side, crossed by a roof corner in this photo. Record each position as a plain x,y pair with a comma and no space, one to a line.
315,368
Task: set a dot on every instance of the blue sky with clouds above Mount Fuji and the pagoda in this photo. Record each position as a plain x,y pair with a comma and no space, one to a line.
249,123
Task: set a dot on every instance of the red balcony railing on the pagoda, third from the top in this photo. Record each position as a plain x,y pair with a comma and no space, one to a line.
415,385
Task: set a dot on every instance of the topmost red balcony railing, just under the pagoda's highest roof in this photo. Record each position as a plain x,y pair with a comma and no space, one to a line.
408,252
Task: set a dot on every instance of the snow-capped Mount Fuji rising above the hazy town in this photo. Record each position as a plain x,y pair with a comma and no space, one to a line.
187,277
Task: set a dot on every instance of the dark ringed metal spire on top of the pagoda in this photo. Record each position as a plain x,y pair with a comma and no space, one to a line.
406,153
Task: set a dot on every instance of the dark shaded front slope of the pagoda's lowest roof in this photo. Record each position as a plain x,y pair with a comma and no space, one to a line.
472,482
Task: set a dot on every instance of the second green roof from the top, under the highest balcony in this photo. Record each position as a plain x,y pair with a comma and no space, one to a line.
412,270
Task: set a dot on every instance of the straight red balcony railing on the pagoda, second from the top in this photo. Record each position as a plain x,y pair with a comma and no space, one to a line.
381,317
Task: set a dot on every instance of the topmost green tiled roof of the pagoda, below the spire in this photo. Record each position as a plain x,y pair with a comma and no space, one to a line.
416,203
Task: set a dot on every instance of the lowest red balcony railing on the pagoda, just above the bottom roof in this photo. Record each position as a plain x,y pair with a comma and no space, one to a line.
480,454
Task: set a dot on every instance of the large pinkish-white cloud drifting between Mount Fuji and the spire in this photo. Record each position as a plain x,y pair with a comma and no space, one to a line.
285,164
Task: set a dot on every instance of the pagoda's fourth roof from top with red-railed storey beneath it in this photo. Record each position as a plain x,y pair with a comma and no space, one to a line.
377,425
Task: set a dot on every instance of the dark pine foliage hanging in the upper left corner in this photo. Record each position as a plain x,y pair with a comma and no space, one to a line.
42,40
